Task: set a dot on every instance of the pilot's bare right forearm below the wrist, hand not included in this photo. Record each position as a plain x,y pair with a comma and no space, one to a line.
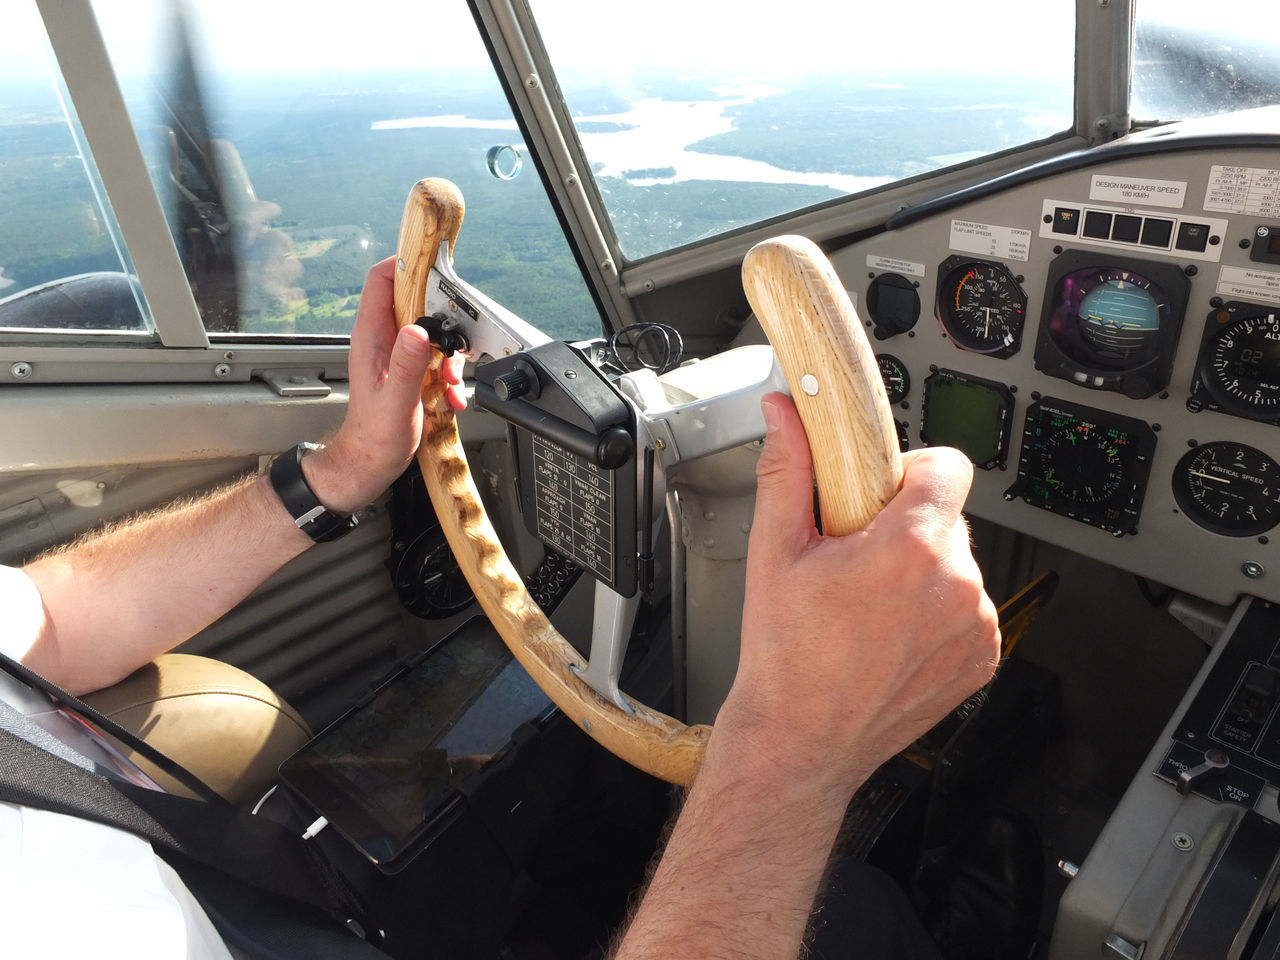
744,863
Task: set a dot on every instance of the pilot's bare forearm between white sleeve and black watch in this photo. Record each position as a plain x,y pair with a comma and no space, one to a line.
117,601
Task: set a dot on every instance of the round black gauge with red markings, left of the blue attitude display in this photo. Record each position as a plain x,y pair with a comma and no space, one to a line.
981,307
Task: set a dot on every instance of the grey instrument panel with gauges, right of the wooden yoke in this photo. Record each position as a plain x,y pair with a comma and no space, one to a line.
1104,344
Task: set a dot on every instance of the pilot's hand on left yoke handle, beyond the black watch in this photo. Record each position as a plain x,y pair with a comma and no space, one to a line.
385,415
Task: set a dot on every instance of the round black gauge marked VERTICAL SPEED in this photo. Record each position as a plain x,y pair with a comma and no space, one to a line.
1229,488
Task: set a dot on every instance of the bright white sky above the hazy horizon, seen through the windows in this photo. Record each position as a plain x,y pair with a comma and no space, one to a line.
749,36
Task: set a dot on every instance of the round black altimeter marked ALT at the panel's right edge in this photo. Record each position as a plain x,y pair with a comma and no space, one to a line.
1241,363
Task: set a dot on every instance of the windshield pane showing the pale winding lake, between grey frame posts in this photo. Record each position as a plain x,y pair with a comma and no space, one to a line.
706,117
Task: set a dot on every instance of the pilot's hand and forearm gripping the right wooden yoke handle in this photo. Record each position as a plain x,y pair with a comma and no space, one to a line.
853,647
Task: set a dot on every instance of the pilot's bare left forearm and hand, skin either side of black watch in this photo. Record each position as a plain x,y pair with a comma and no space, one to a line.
117,601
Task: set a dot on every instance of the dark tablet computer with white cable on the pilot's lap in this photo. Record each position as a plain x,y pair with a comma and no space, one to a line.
392,772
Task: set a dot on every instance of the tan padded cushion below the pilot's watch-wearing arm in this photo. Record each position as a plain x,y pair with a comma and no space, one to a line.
223,725
